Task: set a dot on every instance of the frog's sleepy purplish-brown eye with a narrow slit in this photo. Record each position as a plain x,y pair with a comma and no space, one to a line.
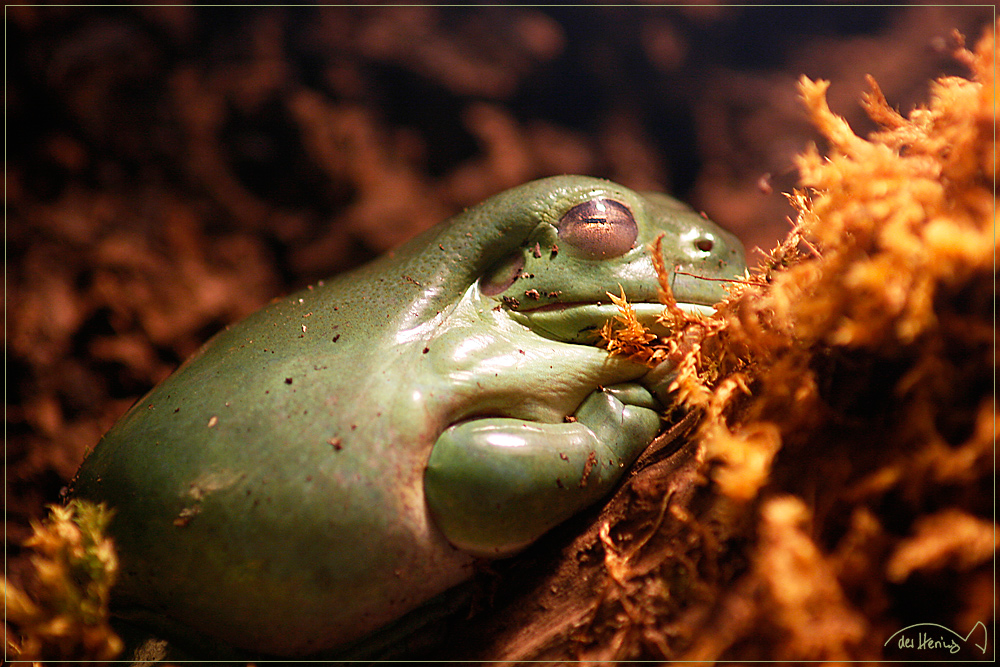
599,228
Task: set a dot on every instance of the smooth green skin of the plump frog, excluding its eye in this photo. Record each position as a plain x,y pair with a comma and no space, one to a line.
271,492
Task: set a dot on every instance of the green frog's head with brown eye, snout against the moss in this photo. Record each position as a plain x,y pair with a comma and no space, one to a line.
595,236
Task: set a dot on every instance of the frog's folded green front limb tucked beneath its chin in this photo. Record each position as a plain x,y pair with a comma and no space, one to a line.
495,485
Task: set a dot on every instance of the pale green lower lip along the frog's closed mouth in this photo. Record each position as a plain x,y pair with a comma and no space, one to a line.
579,322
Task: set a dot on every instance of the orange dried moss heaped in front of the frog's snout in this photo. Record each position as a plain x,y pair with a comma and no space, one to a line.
849,430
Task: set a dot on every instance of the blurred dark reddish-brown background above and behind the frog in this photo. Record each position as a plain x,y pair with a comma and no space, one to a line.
171,169
